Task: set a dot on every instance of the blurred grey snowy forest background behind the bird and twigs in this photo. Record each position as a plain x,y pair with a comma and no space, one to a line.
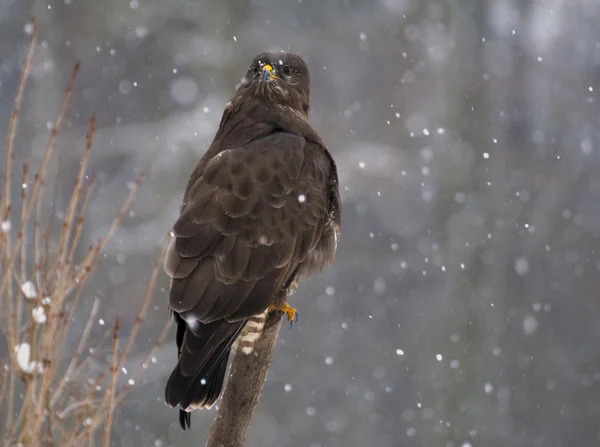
462,309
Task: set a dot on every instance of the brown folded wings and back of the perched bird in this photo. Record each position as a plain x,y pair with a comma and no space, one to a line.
254,215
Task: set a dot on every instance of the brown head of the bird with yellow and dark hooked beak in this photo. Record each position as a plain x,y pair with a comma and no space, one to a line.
280,78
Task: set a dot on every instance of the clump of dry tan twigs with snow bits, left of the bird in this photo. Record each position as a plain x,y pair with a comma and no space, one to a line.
41,285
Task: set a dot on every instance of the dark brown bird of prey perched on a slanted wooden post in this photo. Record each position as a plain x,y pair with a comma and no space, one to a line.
260,212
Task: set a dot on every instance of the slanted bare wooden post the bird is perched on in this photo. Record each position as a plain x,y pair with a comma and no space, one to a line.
243,388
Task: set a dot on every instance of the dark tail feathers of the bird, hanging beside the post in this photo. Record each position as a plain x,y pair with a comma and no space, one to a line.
197,380
